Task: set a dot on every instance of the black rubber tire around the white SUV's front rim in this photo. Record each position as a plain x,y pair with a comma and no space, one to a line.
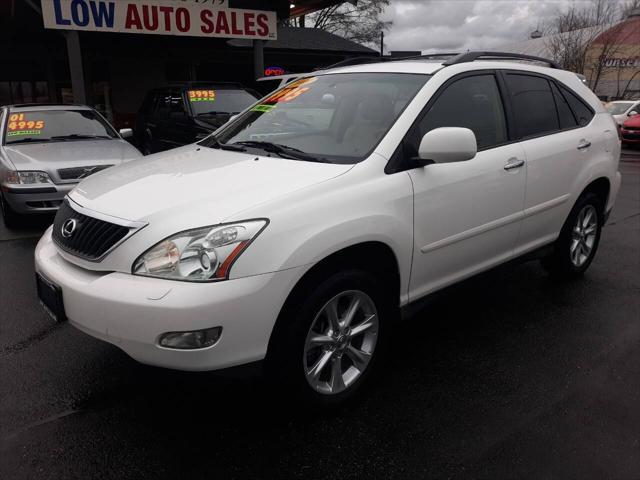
286,357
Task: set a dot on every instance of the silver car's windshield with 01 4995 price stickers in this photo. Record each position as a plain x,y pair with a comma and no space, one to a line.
33,126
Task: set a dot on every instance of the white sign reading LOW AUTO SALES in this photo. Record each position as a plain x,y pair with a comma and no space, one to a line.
160,17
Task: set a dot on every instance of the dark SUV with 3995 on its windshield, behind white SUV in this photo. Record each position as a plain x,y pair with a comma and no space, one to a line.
178,115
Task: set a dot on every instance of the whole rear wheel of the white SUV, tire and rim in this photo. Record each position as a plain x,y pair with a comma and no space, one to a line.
579,238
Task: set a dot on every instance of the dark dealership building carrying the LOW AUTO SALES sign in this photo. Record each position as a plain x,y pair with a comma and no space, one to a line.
108,54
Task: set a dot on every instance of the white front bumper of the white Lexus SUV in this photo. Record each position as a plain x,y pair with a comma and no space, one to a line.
132,312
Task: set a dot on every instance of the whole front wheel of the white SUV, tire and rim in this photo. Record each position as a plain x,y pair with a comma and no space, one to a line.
328,344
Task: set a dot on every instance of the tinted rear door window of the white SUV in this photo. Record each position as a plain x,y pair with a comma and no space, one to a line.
533,105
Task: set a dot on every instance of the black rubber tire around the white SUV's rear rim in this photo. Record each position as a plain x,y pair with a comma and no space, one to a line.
560,262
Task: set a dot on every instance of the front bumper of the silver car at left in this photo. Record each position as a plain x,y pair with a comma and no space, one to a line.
26,199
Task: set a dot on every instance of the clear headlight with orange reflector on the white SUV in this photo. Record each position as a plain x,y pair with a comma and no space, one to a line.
200,255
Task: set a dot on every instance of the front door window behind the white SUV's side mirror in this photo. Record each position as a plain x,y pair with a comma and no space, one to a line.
473,103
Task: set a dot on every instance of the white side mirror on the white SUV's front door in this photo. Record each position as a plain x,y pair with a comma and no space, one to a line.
447,145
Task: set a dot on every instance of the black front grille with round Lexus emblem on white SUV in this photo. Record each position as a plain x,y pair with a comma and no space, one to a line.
90,238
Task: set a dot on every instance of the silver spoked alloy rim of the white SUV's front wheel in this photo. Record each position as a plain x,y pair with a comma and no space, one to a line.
341,342
